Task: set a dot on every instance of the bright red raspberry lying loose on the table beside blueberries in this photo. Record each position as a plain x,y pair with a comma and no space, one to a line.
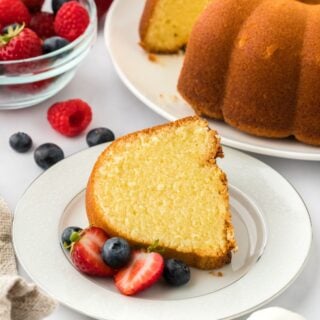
71,117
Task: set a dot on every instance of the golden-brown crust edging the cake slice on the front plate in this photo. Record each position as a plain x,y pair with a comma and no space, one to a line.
201,261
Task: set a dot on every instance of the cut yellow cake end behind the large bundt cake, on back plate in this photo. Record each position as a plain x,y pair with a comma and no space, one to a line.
165,25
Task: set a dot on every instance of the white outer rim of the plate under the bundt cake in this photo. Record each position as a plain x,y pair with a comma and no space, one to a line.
157,109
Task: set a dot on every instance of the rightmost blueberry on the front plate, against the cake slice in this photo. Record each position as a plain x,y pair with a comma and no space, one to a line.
176,272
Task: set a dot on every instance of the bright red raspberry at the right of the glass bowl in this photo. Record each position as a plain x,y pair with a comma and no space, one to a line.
71,20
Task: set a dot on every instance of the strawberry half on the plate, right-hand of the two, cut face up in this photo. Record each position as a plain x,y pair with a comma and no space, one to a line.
143,270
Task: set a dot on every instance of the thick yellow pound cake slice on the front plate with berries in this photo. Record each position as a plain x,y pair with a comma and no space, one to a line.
163,184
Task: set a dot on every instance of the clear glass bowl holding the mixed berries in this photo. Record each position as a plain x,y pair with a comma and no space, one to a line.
24,83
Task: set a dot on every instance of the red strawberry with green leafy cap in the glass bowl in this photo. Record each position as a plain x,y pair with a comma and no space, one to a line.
19,43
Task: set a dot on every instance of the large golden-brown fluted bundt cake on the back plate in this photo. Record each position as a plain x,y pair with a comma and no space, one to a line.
256,65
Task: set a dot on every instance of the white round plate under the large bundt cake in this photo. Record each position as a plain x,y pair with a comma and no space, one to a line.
154,83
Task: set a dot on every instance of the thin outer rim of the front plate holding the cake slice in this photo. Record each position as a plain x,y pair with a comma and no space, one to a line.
234,316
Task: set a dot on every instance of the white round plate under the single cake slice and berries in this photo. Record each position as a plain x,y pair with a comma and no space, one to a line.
267,213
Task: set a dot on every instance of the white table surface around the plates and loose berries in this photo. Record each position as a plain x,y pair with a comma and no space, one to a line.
115,107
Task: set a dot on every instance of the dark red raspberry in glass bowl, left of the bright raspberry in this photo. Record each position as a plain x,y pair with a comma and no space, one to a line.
42,24
